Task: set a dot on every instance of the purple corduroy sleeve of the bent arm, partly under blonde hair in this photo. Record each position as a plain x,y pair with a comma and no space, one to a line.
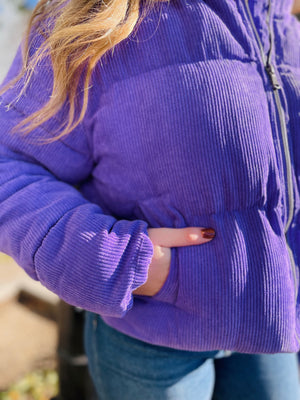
58,237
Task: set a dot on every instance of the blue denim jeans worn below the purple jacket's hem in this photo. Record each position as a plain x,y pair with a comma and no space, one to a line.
124,368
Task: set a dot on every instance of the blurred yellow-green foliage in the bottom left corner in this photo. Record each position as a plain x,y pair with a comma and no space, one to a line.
40,385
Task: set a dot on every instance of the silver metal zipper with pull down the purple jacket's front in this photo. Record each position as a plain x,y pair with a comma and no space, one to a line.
288,165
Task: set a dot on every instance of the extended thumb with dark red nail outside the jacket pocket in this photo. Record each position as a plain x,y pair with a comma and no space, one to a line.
171,237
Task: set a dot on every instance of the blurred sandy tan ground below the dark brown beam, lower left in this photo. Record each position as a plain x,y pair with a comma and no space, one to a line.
27,343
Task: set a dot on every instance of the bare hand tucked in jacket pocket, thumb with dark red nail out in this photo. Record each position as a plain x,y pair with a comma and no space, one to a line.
163,239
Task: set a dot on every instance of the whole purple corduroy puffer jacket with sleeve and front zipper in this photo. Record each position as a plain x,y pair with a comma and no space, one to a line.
193,121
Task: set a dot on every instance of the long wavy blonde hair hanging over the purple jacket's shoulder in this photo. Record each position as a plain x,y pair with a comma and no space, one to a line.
80,33
